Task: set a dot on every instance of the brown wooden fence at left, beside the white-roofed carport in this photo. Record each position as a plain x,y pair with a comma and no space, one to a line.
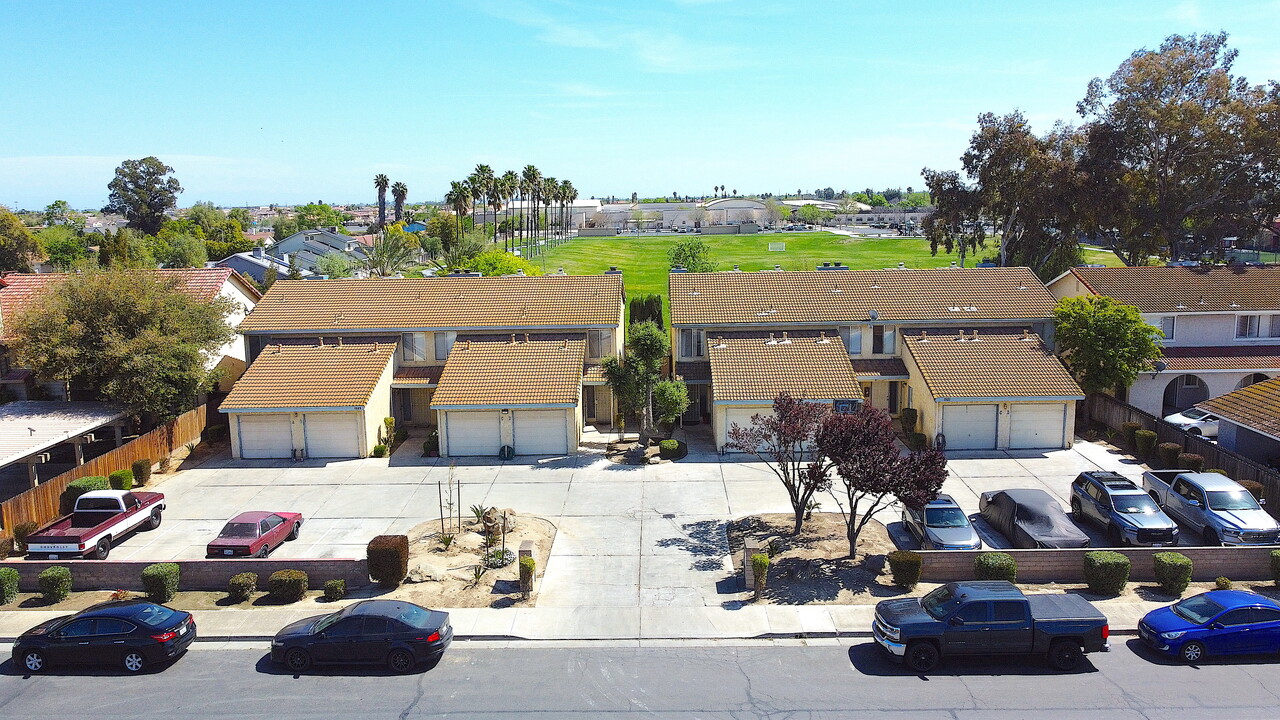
42,504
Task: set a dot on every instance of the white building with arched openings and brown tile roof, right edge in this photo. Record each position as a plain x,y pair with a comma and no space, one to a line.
1222,327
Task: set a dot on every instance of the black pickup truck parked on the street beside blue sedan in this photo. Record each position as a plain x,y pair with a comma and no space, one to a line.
990,618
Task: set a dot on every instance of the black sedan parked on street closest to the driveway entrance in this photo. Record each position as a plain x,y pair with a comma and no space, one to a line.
396,634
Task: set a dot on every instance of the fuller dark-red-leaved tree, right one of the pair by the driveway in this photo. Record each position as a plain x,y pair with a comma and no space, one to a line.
860,448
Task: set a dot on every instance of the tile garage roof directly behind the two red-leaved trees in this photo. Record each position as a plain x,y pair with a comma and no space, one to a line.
760,370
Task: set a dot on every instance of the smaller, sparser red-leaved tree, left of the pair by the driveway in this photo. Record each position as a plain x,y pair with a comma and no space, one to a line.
780,441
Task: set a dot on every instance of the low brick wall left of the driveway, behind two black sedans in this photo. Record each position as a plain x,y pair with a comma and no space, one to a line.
196,575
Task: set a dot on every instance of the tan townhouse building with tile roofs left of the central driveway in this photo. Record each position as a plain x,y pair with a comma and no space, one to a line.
490,363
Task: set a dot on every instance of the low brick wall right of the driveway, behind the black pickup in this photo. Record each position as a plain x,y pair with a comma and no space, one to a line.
1068,566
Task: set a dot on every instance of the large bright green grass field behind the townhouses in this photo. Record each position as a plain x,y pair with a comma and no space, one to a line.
643,261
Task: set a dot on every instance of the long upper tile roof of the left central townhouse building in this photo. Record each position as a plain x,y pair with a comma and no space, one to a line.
545,302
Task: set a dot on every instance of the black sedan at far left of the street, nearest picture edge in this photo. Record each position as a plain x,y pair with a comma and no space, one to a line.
132,635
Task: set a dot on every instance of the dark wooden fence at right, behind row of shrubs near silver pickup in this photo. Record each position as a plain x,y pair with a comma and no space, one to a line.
1114,413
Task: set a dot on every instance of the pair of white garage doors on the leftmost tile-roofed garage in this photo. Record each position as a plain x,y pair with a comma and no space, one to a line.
327,435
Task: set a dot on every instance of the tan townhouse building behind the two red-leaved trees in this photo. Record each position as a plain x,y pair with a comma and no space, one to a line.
966,348
